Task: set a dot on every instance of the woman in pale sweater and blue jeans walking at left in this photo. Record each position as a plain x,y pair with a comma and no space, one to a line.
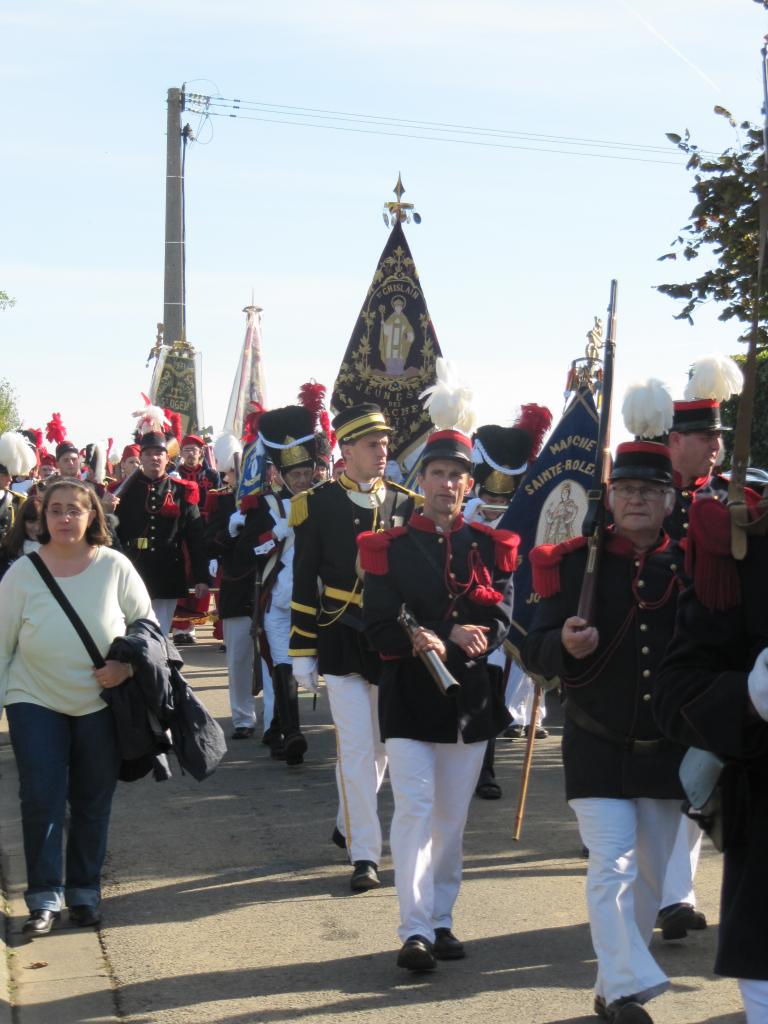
61,730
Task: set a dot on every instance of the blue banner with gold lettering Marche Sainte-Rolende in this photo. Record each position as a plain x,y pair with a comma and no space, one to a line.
550,504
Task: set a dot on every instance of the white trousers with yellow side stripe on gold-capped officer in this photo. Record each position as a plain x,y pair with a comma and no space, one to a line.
361,763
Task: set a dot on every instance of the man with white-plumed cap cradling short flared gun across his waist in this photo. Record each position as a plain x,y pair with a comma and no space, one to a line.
454,579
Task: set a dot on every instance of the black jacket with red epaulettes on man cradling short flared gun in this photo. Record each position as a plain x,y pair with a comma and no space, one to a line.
445,579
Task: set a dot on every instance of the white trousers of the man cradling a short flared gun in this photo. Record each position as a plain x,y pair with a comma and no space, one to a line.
433,785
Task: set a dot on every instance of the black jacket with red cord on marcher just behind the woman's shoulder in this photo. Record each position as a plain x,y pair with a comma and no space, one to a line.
156,518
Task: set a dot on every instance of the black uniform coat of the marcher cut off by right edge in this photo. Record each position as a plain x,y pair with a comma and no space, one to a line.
702,699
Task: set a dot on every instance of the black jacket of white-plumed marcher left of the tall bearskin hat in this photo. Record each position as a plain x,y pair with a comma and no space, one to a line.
236,559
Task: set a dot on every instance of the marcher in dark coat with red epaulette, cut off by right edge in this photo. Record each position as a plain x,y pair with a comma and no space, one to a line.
712,693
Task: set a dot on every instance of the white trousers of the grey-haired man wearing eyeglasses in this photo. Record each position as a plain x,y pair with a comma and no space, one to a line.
630,843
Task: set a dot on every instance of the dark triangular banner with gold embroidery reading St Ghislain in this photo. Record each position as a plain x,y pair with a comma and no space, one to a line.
391,359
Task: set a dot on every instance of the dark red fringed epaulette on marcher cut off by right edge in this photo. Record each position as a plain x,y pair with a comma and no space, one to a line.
708,556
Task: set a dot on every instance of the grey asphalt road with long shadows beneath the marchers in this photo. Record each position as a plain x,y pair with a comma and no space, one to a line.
226,903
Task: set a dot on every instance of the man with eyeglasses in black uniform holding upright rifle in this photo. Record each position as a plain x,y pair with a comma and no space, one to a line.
621,775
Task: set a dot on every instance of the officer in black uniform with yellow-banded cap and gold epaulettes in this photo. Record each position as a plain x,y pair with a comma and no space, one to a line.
327,624
